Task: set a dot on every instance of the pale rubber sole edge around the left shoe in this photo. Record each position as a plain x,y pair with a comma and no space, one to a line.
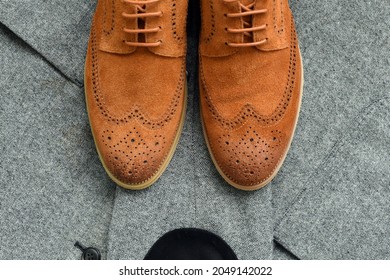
165,163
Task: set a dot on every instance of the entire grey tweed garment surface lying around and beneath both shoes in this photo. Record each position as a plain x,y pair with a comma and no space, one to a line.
329,200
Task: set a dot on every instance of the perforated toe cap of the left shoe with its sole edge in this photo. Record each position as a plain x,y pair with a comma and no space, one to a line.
133,158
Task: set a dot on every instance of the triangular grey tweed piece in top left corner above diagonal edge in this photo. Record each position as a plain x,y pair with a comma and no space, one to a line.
58,30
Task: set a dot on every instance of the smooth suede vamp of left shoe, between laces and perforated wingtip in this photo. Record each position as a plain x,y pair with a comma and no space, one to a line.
140,80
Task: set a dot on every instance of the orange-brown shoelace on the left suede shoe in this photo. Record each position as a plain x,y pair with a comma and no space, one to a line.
141,14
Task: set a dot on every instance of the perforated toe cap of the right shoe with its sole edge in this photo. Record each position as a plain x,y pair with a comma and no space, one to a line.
249,157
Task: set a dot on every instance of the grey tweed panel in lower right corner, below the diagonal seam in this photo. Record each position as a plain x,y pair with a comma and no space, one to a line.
344,210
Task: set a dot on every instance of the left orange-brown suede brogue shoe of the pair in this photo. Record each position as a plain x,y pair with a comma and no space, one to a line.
135,86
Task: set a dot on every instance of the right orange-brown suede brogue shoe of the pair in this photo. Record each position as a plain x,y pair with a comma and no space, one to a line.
251,82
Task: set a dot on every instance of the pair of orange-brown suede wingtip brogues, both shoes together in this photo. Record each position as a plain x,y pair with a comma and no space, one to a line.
250,79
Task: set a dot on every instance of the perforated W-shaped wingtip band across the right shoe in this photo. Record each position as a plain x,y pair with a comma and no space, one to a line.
248,110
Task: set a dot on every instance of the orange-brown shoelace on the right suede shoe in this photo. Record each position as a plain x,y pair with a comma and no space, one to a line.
246,12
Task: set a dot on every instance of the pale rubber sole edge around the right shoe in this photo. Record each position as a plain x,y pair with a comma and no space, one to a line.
281,161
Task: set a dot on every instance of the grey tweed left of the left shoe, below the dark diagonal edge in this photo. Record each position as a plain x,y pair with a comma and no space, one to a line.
53,191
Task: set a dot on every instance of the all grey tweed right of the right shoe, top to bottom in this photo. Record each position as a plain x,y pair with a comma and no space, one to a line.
345,48
